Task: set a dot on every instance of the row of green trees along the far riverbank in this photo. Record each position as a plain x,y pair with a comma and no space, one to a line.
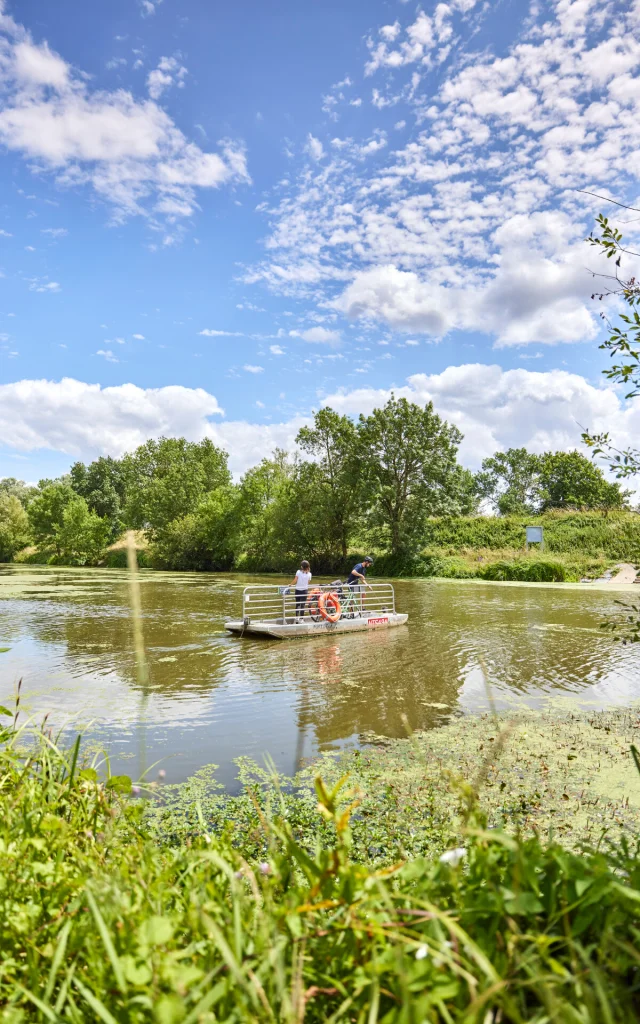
373,483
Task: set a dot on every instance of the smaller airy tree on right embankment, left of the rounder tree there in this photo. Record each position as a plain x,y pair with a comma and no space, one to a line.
509,481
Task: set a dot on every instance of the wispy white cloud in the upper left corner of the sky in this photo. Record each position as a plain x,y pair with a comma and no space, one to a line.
129,150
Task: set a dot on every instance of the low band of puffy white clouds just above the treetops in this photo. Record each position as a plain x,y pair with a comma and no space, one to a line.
494,408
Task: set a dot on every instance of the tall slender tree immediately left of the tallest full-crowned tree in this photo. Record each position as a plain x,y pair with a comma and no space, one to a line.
333,480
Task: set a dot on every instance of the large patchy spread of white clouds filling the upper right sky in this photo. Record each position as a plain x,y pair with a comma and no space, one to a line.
476,224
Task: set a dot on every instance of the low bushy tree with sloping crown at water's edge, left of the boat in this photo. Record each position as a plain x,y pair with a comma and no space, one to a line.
203,540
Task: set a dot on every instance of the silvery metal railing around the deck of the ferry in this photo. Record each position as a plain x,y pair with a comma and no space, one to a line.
271,604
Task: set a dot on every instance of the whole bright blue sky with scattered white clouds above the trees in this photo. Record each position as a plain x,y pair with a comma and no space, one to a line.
216,219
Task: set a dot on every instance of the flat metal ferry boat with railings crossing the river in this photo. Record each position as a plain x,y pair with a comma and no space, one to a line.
270,611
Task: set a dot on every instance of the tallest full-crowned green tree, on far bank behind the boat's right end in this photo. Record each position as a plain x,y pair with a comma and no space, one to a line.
408,457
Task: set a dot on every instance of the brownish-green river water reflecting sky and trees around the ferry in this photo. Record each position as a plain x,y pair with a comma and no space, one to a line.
212,698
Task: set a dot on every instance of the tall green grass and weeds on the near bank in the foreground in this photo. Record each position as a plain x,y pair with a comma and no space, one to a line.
101,919
